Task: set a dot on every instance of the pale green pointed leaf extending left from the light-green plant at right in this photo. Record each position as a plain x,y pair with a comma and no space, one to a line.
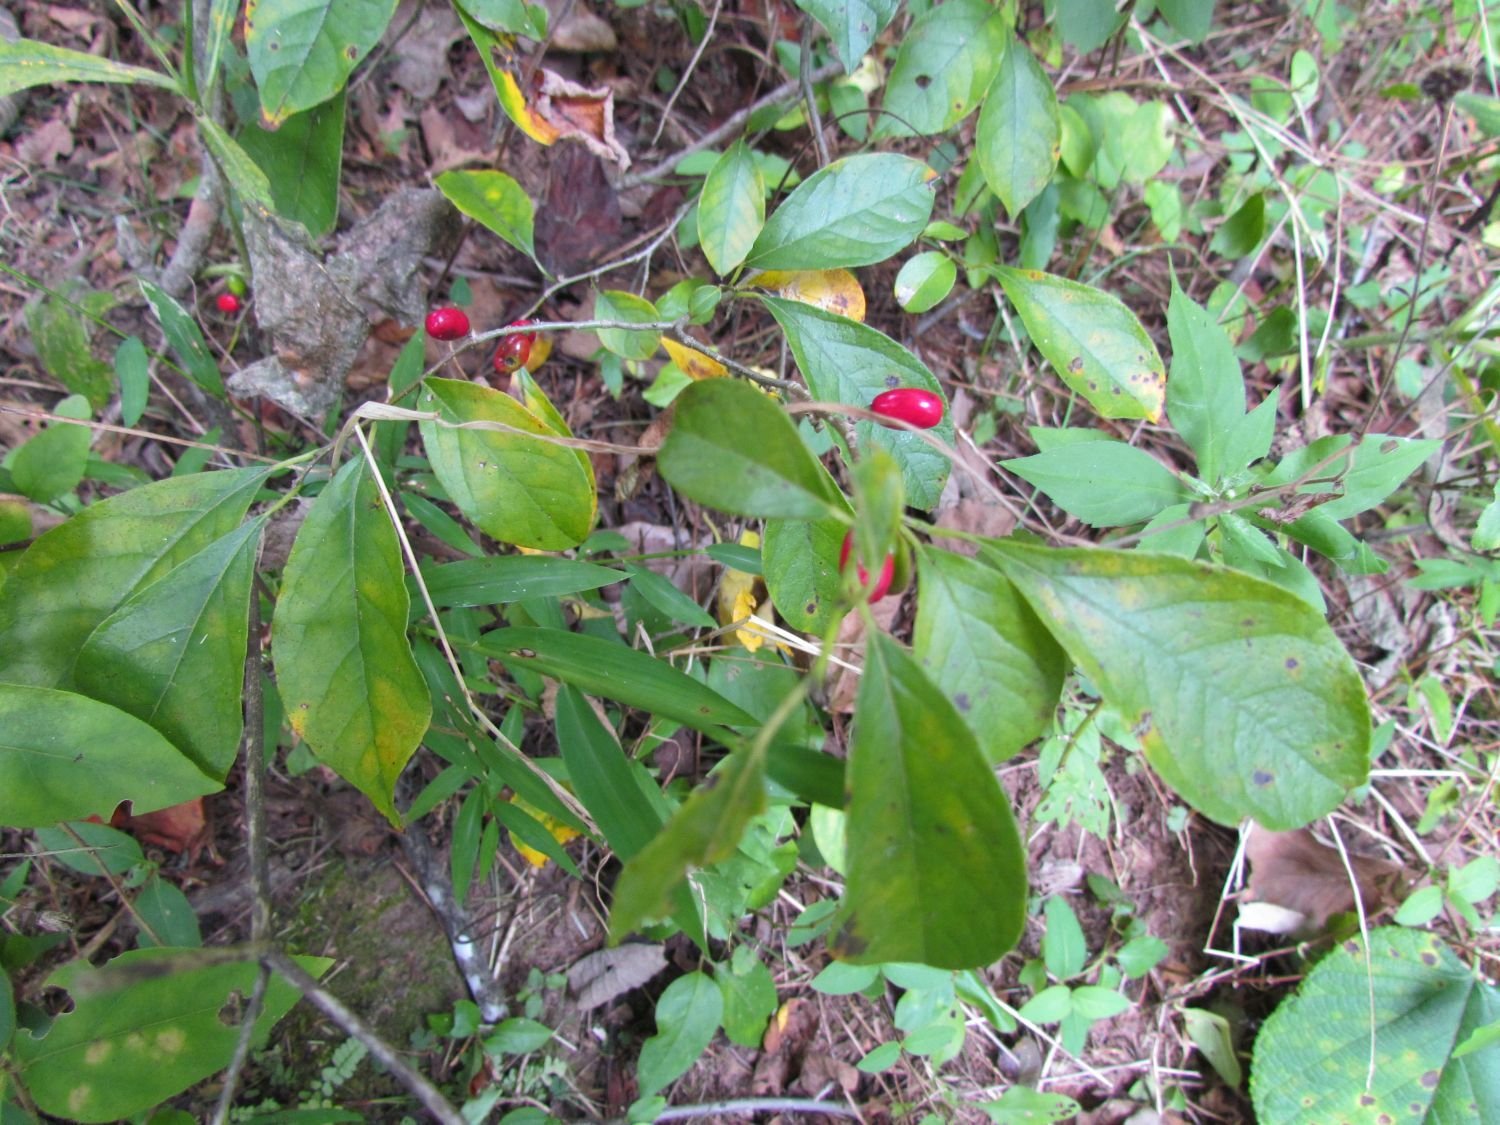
1105,484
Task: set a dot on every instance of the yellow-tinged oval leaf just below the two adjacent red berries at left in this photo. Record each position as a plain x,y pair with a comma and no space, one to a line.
518,488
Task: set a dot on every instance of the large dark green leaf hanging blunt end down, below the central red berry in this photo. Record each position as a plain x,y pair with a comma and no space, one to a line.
937,866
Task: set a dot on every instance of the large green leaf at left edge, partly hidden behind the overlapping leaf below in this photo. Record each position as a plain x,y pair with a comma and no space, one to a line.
76,575
